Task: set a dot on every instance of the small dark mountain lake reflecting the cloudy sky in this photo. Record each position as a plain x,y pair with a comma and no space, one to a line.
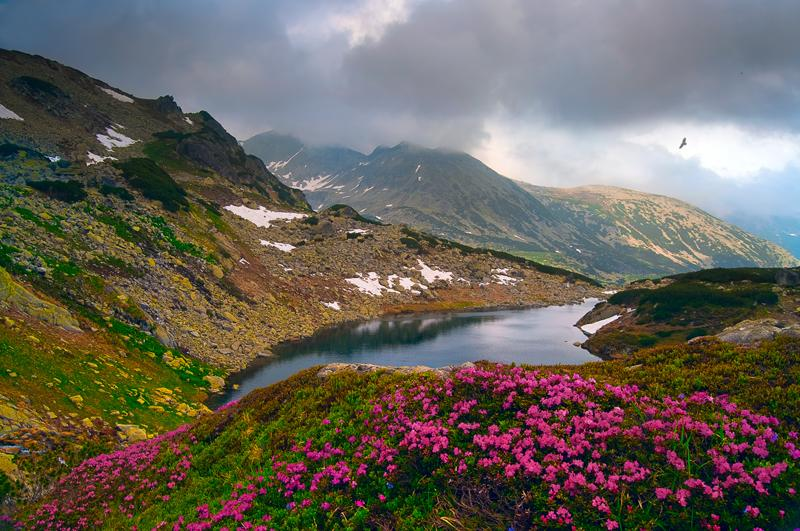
539,336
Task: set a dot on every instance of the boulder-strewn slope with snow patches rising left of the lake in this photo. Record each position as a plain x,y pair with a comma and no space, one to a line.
144,255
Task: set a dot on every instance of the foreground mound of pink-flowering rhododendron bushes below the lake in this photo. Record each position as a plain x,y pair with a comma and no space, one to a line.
503,445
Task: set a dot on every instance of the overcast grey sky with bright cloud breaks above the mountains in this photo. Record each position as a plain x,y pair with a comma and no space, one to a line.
560,92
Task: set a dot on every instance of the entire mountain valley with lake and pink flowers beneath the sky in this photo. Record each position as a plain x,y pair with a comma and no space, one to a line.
192,338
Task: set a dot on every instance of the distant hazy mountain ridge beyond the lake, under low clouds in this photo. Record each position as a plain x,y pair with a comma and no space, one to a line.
606,232
